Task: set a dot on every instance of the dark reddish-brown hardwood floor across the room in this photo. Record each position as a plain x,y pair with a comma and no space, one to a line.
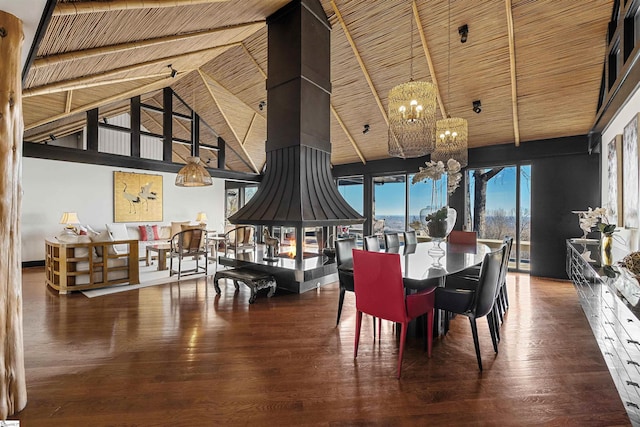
179,355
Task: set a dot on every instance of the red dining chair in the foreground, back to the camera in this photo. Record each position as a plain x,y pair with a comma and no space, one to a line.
380,292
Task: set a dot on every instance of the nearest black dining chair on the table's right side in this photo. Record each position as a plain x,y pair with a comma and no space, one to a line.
479,301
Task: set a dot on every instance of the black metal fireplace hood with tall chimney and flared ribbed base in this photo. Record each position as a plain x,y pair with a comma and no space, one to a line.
298,188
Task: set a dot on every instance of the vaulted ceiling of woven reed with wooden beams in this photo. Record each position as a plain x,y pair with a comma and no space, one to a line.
536,66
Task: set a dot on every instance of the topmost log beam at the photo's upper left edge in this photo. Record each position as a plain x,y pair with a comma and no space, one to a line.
82,7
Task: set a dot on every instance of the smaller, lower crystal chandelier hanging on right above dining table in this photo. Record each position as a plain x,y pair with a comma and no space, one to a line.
452,133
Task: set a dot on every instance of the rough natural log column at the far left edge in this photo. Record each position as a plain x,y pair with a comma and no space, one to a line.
13,388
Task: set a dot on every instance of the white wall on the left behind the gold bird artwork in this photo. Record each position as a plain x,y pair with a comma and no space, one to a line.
52,187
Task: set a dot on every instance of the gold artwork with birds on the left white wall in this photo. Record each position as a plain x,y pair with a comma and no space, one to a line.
137,197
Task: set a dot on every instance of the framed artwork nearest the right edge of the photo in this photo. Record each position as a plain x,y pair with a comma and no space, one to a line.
630,171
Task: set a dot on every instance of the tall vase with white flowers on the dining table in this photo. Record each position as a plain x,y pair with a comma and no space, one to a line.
437,219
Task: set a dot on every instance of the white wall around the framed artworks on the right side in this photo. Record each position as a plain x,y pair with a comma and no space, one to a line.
626,240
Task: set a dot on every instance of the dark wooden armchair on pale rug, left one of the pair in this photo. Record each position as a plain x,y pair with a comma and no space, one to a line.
190,243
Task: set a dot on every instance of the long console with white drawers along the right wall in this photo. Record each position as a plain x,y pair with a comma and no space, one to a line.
610,299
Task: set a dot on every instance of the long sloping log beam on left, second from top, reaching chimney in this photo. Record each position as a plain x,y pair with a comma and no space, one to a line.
123,47
